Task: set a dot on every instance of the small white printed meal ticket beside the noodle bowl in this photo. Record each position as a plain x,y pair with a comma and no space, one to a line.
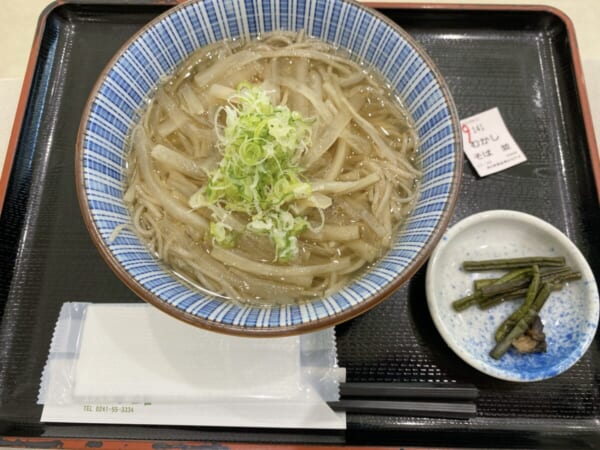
488,144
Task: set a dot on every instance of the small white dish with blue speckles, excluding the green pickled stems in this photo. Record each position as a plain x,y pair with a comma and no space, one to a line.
570,316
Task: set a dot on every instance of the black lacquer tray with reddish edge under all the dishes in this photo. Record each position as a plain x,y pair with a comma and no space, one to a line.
522,60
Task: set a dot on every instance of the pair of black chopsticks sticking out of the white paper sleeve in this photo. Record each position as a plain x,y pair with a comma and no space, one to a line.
451,401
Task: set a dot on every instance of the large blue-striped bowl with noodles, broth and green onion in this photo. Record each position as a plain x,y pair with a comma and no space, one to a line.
268,167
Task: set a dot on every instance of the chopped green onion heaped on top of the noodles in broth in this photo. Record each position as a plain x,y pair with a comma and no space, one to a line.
259,174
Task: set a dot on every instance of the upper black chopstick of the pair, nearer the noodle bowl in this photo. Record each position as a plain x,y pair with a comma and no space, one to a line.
437,391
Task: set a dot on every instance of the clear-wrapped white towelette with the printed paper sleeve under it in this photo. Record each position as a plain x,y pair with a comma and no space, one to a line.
130,363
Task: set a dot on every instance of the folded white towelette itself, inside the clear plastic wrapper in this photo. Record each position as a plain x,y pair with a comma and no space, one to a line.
137,353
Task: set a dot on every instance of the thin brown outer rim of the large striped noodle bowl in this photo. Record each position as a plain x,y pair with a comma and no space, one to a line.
283,330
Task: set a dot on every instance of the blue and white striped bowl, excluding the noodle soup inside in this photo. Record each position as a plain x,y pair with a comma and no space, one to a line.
125,85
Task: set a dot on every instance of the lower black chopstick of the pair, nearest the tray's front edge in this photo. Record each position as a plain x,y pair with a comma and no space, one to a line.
448,410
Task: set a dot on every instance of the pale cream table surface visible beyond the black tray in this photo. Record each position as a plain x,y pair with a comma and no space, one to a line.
19,18
